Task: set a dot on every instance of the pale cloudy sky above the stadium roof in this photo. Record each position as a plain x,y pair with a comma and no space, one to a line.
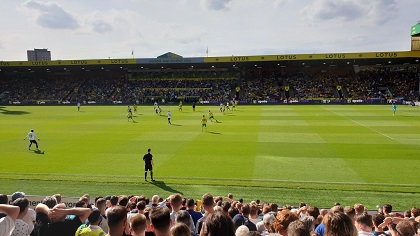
87,29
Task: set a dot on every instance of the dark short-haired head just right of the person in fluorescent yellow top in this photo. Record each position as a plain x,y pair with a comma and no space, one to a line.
117,220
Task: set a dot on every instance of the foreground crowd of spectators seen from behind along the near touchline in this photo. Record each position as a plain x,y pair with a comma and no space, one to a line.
209,216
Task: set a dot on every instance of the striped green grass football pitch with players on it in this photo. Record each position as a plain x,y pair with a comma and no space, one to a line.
319,154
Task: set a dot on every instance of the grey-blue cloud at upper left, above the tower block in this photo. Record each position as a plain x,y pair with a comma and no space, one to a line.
51,15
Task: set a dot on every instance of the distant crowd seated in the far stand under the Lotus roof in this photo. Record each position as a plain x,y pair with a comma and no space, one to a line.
366,84
